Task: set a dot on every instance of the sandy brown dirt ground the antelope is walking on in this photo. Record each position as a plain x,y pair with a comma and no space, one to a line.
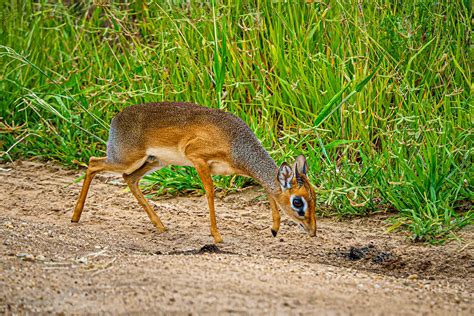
113,261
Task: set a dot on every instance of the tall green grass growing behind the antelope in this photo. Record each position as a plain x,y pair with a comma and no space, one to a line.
377,96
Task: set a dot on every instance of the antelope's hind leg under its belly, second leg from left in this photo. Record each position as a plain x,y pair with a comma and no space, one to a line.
132,181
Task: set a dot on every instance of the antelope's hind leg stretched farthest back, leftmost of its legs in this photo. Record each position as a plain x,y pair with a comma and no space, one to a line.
96,165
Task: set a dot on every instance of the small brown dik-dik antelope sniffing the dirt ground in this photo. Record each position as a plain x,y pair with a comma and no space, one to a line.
147,137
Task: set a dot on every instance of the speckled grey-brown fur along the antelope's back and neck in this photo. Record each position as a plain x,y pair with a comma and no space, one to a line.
248,155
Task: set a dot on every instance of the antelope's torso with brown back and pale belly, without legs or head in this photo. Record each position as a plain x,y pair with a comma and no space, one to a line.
177,133
